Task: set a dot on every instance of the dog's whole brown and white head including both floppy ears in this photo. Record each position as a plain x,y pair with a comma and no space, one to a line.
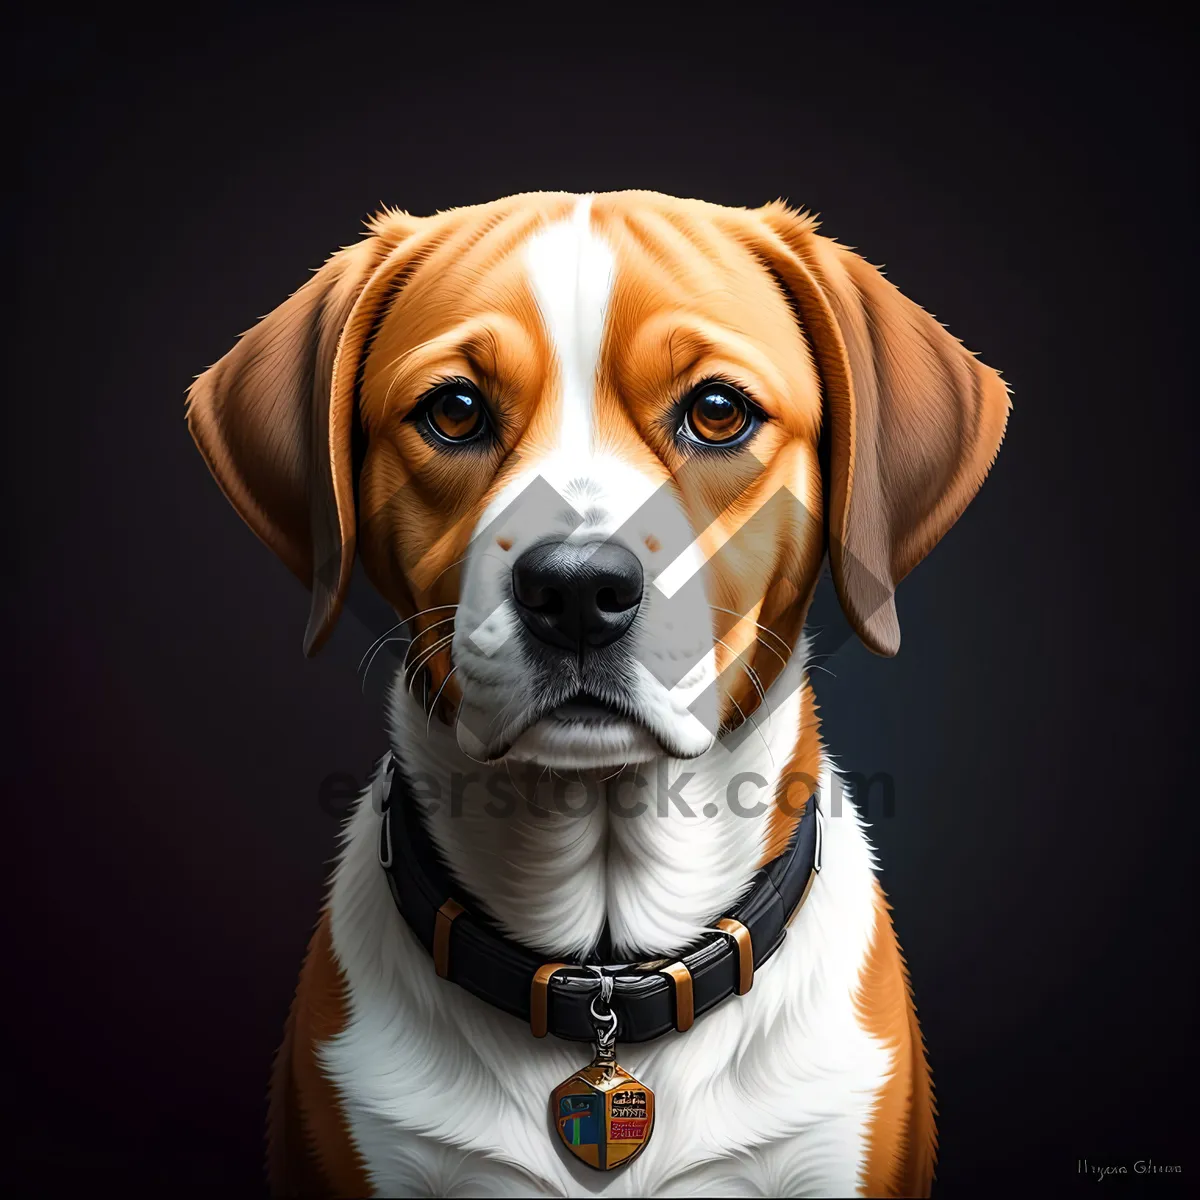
596,449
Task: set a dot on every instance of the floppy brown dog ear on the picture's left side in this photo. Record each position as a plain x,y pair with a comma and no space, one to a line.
274,418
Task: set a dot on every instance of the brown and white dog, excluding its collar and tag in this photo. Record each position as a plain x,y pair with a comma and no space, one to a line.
668,368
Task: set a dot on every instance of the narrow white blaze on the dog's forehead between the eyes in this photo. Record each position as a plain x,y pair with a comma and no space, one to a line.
572,273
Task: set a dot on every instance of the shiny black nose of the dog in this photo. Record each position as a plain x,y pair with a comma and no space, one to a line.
578,597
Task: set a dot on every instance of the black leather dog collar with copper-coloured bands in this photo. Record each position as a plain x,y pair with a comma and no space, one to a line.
555,998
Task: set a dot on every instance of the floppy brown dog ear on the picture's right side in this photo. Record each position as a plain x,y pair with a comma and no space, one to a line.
915,421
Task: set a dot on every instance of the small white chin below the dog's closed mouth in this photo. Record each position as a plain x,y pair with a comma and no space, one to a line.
575,737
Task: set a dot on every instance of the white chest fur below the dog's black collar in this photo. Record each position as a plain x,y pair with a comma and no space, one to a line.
769,1095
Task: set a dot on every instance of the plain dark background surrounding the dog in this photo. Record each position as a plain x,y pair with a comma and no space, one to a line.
1024,173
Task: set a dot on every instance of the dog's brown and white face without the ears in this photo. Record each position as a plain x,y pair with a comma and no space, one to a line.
555,412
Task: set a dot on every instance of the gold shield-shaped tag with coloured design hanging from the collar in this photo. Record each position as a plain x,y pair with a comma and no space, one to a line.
604,1115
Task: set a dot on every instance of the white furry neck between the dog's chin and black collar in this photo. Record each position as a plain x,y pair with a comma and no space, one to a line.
651,855
